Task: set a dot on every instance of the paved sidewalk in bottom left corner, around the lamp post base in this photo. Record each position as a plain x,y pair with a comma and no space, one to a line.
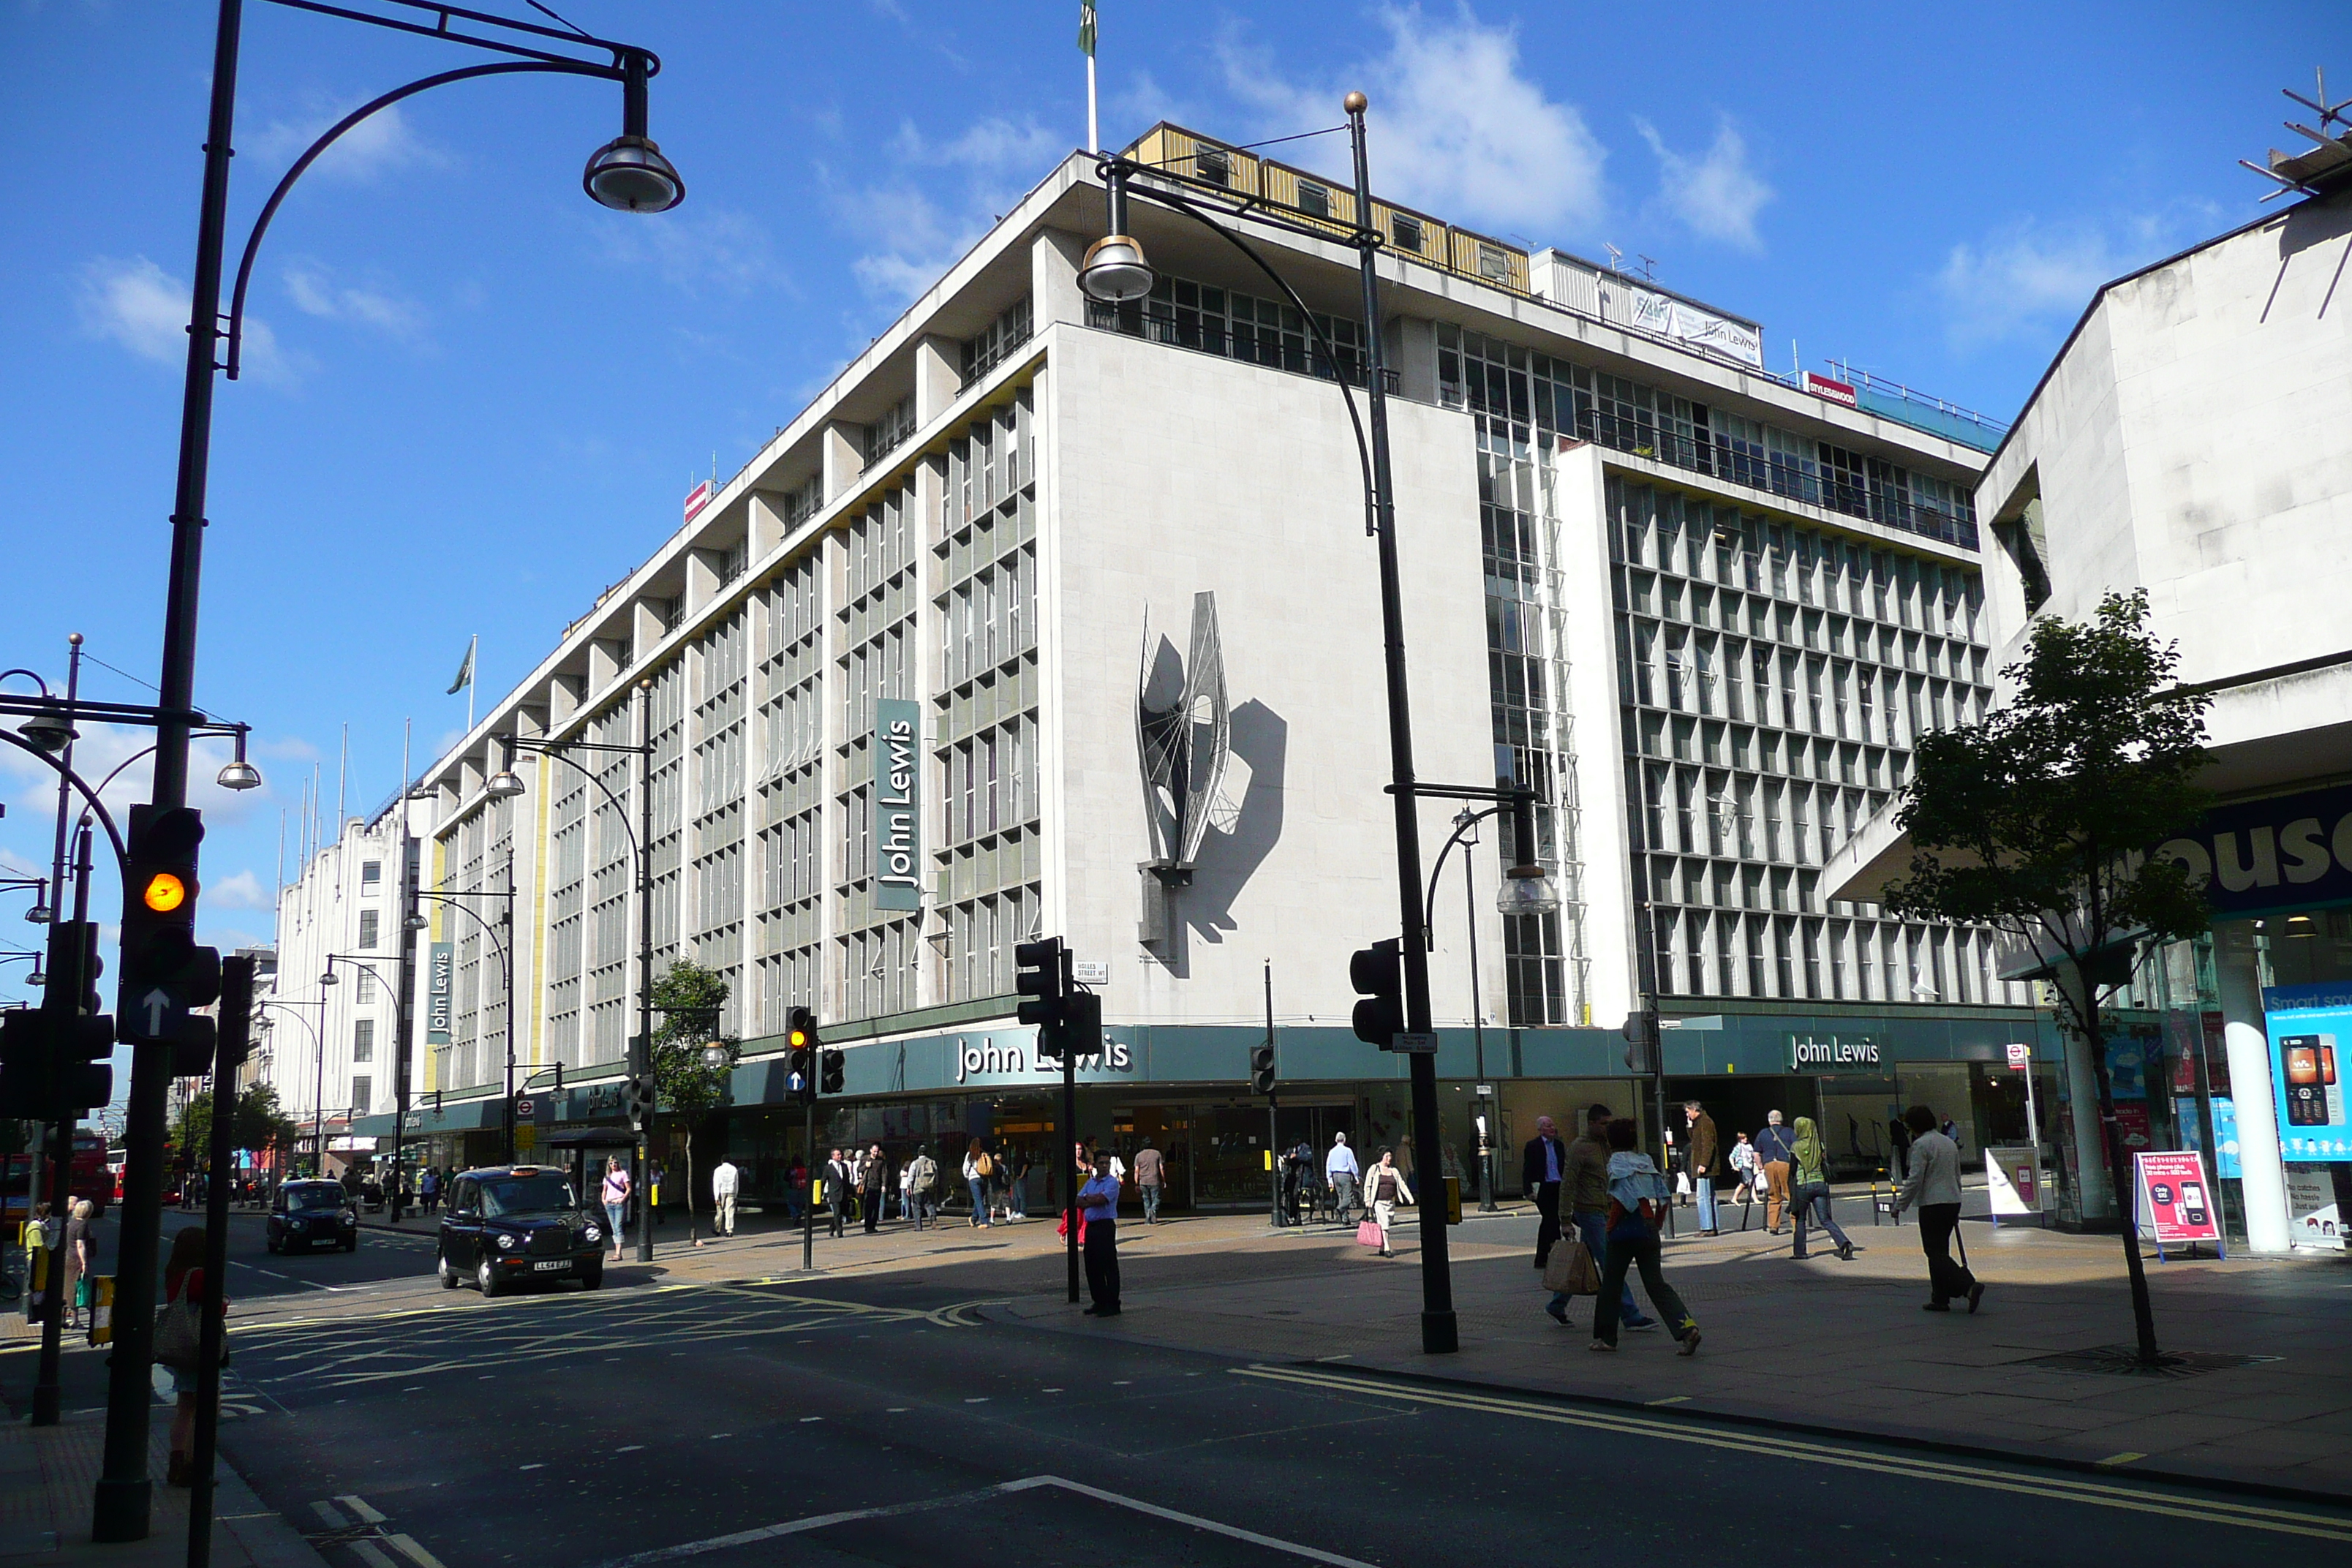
46,1487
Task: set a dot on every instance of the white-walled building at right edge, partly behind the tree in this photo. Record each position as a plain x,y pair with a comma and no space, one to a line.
2196,438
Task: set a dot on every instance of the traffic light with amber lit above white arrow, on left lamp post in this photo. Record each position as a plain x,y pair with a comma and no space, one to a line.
166,977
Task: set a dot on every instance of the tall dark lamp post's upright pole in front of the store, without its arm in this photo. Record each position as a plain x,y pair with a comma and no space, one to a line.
1441,1332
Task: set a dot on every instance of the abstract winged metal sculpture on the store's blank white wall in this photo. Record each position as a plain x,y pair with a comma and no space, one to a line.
1184,742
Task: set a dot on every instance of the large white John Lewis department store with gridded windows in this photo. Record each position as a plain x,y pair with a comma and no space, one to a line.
1109,568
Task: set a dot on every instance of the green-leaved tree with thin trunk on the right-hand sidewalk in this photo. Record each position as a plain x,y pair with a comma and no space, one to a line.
2043,822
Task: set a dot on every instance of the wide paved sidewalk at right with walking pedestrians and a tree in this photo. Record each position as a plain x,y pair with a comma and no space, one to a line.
1845,1348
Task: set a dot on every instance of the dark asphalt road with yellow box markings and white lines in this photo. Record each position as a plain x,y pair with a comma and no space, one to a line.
893,1421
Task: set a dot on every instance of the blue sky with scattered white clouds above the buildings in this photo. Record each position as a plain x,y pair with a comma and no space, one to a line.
476,398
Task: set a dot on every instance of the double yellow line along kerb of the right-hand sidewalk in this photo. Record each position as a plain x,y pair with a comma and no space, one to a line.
2052,1487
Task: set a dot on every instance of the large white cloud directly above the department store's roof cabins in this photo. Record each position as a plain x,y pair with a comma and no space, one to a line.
1457,126
